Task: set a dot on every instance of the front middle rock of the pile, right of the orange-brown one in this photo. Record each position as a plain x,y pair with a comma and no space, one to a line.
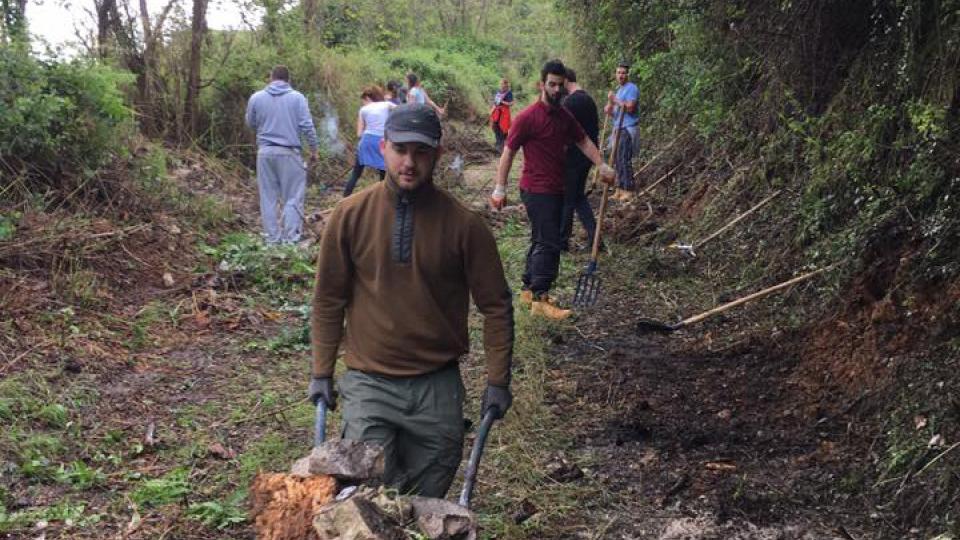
356,518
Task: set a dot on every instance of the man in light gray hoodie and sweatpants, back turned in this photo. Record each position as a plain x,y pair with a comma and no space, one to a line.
280,115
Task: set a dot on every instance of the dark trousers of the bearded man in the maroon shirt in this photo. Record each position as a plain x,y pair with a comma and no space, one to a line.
545,213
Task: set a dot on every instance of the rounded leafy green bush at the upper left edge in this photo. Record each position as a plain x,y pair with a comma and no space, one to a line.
58,118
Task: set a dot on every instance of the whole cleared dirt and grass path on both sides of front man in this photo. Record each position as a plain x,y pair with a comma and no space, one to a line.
173,398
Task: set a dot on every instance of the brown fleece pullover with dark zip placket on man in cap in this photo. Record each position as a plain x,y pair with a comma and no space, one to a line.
402,276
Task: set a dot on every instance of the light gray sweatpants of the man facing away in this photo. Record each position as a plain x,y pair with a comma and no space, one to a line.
282,179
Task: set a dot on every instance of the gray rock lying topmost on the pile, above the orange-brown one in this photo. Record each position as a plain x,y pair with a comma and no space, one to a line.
343,459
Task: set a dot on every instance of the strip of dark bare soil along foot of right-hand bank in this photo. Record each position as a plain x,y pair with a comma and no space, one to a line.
680,443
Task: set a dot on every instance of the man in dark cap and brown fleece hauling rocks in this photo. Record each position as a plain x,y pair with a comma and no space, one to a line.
399,262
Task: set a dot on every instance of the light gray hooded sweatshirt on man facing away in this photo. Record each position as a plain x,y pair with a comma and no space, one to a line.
279,114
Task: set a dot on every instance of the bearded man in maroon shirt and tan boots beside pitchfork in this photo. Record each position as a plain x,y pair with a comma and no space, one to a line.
544,130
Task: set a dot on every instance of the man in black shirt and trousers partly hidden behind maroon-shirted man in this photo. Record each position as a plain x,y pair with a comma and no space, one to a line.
584,109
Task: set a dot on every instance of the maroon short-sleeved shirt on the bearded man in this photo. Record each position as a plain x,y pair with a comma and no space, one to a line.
544,132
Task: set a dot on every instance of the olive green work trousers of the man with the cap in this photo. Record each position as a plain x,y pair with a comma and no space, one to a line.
418,421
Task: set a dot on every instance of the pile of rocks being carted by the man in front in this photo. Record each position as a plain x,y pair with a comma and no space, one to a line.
332,494
